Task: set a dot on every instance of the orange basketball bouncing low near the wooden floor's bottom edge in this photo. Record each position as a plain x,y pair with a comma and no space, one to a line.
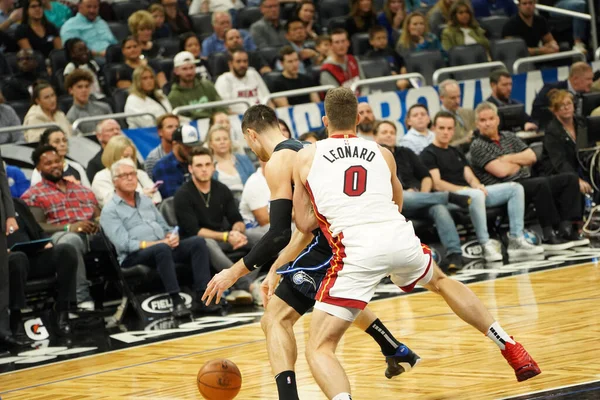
219,380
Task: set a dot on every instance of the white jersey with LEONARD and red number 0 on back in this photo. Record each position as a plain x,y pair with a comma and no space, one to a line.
350,184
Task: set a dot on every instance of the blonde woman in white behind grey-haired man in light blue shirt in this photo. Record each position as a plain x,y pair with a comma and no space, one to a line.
103,187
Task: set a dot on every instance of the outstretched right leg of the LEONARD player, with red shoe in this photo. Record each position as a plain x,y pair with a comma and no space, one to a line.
470,309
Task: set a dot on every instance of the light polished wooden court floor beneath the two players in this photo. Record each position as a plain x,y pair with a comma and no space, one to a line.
553,313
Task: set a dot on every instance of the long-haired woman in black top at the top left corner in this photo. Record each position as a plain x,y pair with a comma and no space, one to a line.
35,32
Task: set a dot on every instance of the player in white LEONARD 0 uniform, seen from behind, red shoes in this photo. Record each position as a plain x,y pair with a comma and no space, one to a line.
348,186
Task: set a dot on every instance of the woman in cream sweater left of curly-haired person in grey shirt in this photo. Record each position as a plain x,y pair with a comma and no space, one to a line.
44,110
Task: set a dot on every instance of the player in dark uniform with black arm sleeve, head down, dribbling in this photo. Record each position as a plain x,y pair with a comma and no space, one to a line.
301,280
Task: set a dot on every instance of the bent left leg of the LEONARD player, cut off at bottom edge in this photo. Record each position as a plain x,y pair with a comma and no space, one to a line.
326,330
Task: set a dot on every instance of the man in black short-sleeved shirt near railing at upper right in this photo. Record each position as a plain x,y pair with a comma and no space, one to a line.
532,28
